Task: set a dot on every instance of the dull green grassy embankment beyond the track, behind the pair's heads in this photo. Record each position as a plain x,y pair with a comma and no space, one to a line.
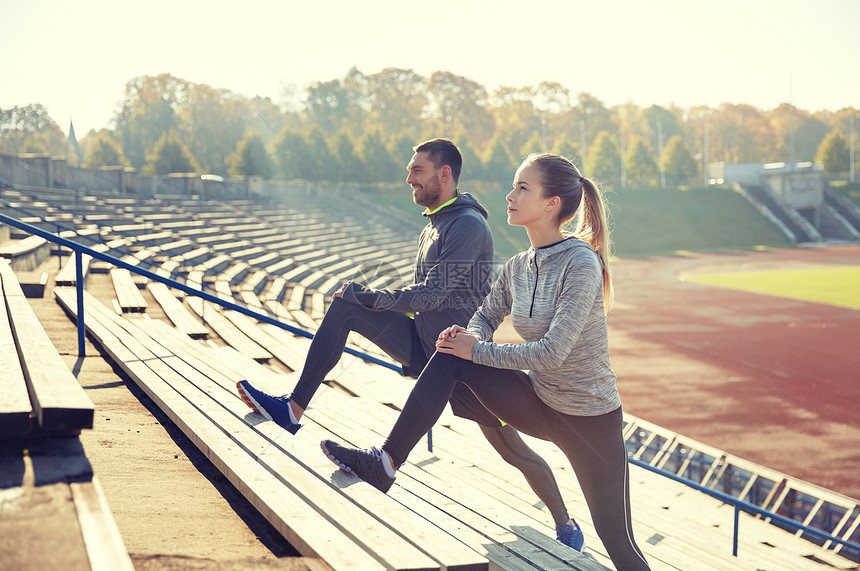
644,222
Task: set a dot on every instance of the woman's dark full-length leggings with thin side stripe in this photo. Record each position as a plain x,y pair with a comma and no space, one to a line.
593,444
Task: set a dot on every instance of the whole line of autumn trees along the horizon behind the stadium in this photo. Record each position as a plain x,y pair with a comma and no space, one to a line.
361,128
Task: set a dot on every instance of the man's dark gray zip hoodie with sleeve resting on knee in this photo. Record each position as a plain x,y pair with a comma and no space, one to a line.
453,271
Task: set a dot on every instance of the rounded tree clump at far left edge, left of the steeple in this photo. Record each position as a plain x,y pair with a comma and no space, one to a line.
31,129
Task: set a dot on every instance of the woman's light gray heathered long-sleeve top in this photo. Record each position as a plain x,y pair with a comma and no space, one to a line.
555,298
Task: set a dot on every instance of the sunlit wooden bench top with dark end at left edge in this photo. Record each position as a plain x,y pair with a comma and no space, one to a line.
40,394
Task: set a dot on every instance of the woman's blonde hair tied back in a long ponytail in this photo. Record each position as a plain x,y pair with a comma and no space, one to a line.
560,177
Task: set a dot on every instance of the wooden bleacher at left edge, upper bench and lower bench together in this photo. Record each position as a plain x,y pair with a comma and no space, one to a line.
54,513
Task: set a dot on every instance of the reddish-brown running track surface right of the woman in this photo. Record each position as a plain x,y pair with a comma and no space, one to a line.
772,380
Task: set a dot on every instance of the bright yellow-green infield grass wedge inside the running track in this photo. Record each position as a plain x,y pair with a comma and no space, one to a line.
840,286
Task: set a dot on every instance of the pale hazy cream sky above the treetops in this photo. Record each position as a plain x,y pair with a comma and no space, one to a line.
75,58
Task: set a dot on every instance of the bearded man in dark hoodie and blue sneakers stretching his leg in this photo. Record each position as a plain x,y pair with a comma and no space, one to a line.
452,276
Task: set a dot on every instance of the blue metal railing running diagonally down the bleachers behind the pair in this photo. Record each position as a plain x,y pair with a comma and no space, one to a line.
80,249
